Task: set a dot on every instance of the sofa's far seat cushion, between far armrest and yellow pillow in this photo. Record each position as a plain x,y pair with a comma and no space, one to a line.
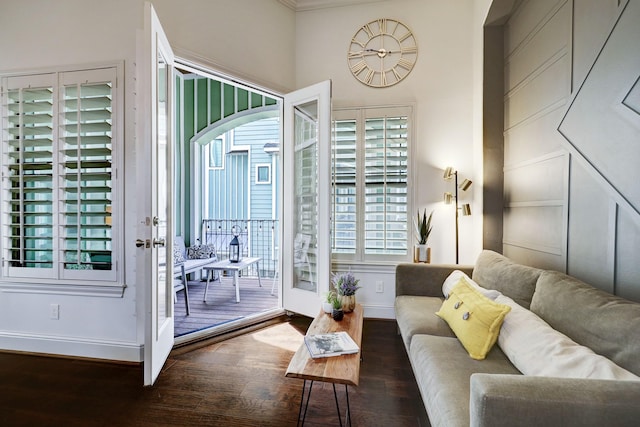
416,315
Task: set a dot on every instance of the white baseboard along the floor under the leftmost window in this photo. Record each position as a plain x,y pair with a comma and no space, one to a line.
75,347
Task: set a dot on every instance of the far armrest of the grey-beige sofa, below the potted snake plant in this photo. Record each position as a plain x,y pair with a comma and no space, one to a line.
424,279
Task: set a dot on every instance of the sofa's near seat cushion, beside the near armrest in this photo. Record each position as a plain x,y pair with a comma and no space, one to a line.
443,369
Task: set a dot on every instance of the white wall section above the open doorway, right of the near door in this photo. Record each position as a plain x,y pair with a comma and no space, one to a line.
249,39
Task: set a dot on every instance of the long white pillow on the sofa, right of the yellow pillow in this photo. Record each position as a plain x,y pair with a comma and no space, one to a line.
536,349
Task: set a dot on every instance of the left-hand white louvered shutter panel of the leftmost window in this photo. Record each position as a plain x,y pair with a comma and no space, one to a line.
28,176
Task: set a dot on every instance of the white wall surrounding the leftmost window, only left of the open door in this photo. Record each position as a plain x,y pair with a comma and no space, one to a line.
39,35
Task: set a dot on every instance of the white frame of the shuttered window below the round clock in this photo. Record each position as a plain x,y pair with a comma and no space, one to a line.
360,115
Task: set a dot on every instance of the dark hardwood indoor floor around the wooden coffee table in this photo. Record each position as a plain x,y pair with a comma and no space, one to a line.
234,382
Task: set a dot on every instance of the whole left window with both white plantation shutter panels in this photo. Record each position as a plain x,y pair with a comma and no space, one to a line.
59,191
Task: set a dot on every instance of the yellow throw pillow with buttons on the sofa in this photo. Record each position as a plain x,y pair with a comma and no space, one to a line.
474,318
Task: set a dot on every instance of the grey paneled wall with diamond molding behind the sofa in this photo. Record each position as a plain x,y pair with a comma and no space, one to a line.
570,187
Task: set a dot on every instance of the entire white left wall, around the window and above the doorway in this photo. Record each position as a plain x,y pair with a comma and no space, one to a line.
39,34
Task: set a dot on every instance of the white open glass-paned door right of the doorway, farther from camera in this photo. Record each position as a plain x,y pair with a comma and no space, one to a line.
306,253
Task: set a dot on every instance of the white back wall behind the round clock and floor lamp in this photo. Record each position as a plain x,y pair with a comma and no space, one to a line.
447,111
